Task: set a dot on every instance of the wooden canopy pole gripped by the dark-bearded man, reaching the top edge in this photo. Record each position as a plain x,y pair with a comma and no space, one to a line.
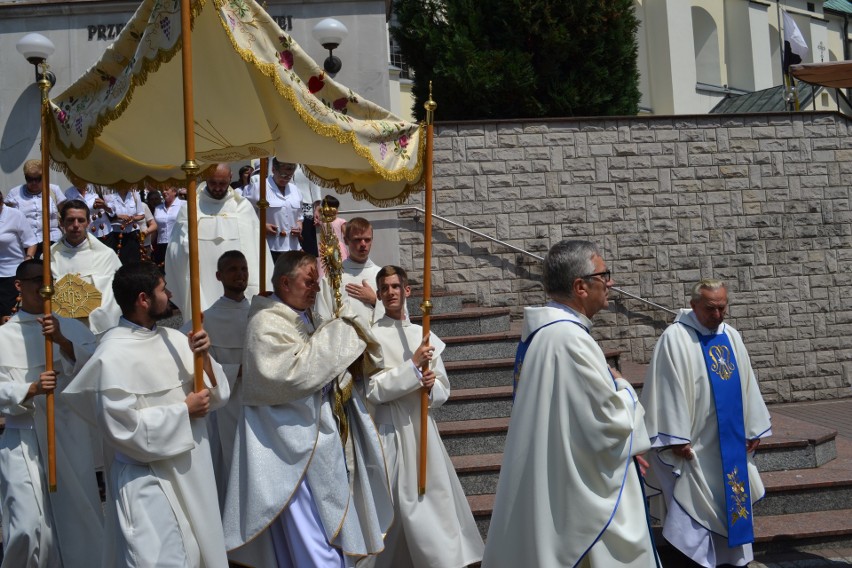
190,168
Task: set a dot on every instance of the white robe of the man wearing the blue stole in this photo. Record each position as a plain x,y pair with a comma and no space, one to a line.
680,408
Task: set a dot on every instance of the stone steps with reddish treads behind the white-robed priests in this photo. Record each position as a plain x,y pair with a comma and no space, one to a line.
807,471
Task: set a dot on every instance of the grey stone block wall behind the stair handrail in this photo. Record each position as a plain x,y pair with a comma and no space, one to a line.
761,201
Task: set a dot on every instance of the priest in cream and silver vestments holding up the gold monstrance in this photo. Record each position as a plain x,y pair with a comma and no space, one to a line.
308,484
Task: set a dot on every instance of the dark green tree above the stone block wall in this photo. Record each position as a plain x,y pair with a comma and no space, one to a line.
521,58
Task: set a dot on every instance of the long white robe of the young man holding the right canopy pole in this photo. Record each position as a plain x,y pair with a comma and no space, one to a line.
436,530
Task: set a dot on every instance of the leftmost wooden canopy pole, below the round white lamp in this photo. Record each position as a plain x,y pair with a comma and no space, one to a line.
46,289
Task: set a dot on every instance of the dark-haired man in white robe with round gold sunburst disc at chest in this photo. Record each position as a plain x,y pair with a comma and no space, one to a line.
81,256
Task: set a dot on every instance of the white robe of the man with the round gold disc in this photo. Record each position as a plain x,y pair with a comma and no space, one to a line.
95,263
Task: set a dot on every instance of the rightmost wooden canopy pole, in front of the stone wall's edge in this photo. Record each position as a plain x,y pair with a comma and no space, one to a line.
426,306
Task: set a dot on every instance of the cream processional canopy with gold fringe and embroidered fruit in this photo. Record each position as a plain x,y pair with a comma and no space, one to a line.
256,94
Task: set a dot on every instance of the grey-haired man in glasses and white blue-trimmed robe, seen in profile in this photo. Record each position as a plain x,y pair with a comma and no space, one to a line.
569,492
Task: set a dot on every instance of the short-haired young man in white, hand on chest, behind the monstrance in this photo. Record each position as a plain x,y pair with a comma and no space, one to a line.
359,276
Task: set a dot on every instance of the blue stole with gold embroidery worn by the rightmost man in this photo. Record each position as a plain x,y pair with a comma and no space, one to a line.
727,397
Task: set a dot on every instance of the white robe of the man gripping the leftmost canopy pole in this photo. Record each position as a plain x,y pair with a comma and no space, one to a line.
41,528
